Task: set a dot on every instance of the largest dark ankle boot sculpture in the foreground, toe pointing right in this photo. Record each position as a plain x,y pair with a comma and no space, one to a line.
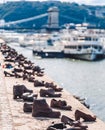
42,109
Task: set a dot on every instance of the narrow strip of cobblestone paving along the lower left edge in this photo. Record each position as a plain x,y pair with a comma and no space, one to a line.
6,122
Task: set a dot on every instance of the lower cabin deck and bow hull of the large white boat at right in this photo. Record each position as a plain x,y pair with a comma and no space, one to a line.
85,51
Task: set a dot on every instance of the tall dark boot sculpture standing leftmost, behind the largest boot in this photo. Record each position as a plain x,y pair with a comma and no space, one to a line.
18,90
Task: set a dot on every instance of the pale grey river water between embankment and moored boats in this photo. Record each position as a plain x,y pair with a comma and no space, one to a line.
82,78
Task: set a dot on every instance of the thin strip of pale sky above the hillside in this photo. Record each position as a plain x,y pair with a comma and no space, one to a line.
89,2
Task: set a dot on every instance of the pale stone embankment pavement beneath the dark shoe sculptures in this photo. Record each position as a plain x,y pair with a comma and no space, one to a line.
12,116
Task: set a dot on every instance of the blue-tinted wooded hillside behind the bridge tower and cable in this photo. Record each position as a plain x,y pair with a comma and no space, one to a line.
69,13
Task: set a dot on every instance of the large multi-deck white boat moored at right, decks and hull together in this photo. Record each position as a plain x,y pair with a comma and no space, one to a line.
83,44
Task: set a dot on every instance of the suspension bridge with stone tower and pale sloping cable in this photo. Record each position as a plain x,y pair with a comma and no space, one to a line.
53,20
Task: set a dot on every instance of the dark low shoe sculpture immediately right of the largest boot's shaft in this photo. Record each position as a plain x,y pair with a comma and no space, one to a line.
60,104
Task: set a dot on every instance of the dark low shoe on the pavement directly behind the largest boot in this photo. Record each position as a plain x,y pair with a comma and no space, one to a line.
48,93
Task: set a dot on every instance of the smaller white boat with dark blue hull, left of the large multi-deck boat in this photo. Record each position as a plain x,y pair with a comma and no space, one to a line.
48,49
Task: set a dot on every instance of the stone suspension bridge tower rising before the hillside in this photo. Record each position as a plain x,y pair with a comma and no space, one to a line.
53,18
